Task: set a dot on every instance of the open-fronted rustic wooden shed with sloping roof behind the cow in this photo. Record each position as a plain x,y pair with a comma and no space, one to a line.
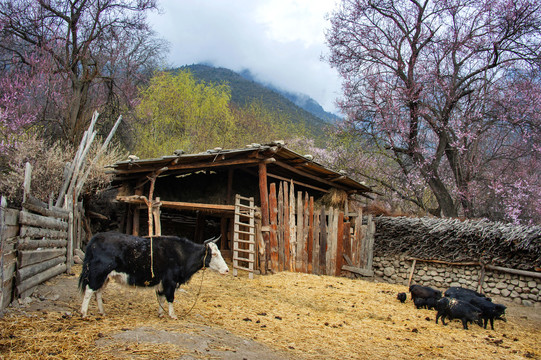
254,197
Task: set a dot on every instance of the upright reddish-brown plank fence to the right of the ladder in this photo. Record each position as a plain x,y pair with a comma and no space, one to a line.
323,241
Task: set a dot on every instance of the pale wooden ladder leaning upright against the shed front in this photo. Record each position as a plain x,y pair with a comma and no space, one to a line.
244,236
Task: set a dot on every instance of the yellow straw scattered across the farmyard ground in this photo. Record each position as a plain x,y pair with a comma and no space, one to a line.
304,316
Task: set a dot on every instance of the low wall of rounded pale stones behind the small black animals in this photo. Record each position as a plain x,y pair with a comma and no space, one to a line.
524,290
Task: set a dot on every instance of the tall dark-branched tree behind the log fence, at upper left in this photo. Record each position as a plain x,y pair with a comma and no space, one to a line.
96,50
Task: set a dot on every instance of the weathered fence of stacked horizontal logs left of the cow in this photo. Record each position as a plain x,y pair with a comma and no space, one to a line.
36,242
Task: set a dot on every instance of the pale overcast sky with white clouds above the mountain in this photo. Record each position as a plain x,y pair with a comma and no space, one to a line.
279,41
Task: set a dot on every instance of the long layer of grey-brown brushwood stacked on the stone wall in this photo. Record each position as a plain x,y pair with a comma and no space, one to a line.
494,243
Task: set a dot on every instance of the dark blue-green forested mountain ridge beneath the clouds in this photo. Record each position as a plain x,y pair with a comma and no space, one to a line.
245,91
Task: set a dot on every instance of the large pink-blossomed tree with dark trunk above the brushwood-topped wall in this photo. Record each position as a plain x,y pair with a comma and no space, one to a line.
445,89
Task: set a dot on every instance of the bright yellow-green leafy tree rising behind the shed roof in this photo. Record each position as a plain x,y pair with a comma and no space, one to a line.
177,112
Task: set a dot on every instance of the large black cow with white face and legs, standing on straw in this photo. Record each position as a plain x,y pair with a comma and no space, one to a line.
128,258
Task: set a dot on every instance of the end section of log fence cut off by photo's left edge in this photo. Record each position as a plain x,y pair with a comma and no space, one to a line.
9,230
